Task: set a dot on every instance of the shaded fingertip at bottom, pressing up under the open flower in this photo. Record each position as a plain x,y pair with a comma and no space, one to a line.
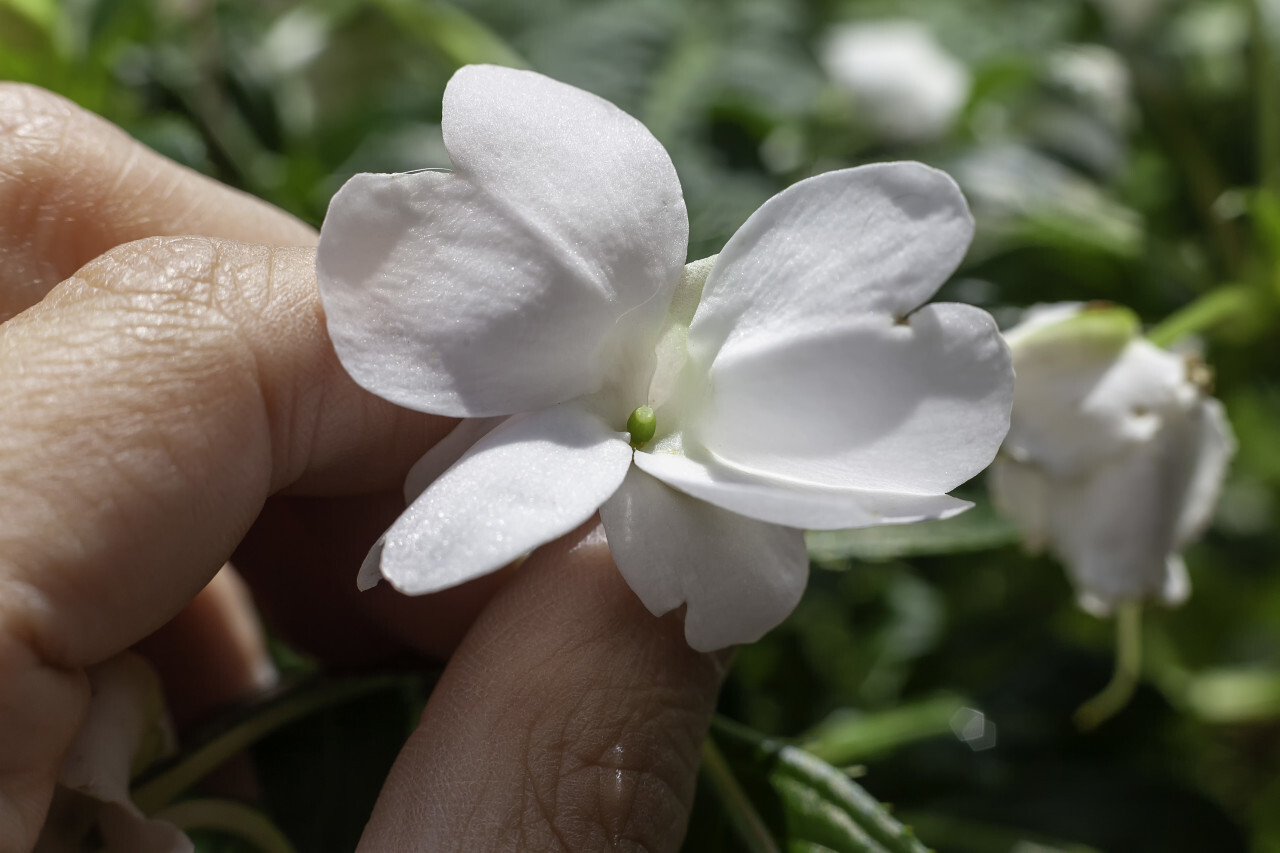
569,719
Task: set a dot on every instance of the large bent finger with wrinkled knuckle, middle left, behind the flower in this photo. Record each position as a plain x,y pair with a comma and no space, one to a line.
152,404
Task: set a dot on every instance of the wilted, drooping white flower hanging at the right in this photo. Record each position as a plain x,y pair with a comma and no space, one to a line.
1116,455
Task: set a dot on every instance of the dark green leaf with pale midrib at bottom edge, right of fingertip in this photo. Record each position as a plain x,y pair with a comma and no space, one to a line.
783,799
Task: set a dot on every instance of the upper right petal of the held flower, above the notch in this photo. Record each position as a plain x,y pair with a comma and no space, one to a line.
879,240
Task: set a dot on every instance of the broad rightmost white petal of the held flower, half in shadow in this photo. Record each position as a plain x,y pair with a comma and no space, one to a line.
918,407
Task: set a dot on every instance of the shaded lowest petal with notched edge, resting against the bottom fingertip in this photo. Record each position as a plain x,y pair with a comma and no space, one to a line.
739,578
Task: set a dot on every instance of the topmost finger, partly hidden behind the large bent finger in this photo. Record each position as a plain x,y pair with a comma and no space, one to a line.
74,186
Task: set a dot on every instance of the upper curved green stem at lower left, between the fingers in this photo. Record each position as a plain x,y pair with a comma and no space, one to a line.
170,783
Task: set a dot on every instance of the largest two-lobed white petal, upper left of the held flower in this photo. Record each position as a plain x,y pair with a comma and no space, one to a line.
519,281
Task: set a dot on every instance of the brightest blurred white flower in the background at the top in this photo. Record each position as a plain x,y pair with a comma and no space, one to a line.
906,86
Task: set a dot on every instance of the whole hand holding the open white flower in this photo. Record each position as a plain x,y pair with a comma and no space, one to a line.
171,400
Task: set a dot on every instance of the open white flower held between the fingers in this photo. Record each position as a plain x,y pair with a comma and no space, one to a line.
540,280
